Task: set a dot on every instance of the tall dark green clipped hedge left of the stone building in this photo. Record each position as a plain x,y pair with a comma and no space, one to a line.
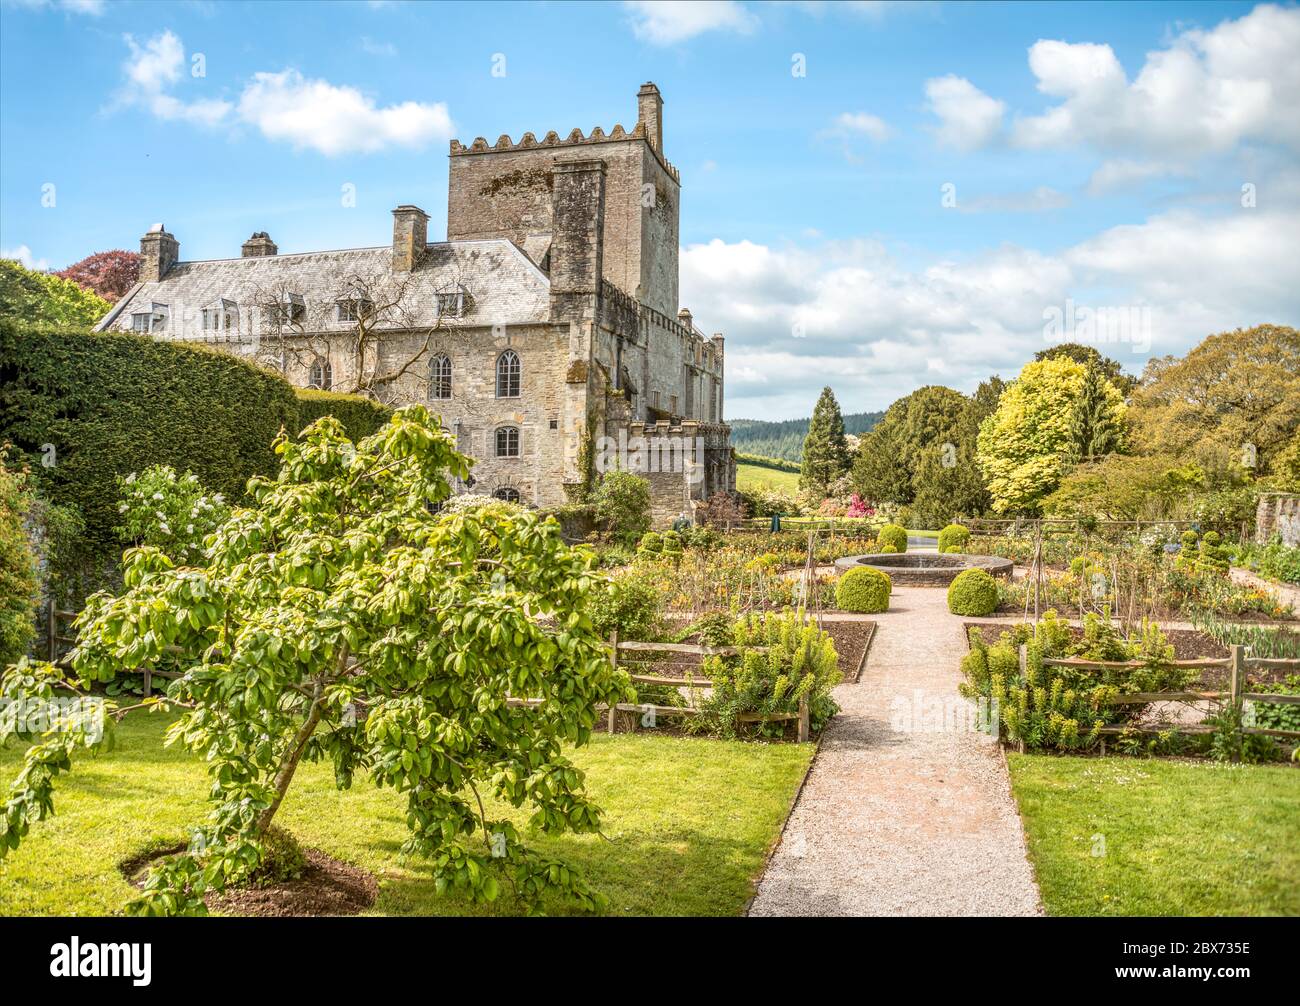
114,404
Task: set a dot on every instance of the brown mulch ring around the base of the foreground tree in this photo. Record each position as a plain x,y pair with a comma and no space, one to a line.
328,887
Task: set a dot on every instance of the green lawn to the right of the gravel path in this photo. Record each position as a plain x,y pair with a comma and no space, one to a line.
1180,838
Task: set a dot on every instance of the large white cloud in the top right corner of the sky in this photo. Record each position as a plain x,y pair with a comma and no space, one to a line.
1207,93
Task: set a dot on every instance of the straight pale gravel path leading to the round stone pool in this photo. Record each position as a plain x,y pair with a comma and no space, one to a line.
896,821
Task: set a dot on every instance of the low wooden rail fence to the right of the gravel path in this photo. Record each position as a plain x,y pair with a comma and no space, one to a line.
1237,664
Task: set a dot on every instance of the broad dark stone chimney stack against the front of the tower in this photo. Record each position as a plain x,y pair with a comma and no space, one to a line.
578,239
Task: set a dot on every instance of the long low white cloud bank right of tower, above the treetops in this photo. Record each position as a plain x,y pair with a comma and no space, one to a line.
848,313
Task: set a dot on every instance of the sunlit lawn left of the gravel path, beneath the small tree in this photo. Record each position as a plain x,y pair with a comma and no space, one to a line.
690,823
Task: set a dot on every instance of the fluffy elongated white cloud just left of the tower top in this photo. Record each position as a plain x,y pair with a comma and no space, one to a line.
336,119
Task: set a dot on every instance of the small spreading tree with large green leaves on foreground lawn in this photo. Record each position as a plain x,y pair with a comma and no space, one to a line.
339,618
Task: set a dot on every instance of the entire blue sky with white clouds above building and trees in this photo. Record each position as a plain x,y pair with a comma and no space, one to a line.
912,210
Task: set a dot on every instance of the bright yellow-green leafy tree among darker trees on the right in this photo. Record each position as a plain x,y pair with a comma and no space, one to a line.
1025,446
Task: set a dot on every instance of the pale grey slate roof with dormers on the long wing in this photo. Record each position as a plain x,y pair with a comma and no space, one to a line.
505,287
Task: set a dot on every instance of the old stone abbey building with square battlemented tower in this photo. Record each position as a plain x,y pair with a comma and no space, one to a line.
545,329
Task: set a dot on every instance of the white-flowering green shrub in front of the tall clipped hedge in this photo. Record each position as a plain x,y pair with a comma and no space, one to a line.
171,513
